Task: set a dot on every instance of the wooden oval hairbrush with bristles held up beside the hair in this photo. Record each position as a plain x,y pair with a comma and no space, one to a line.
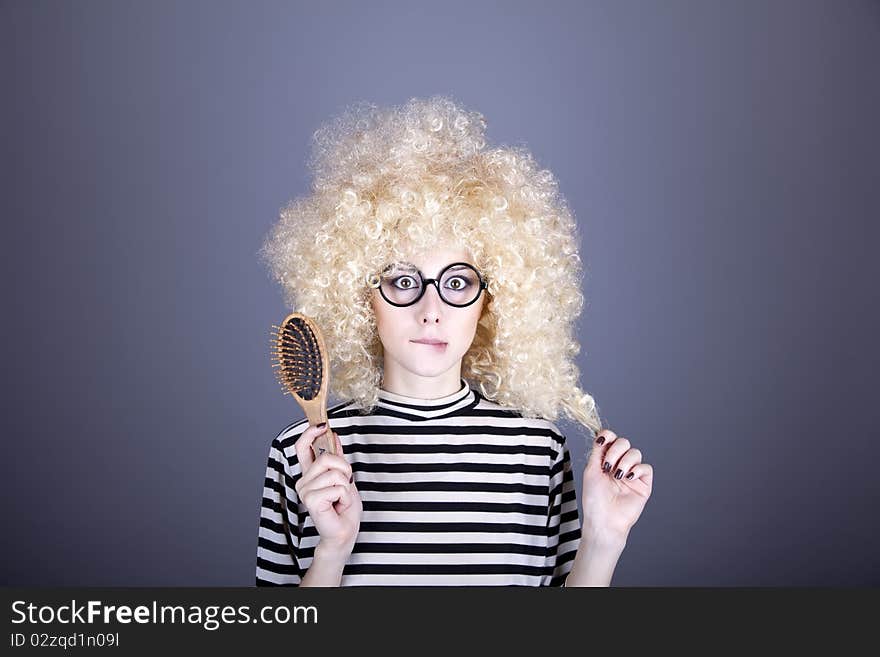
303,371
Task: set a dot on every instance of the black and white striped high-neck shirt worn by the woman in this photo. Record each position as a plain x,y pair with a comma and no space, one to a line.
456,491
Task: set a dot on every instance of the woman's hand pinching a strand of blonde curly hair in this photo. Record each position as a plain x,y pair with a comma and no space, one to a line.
616,487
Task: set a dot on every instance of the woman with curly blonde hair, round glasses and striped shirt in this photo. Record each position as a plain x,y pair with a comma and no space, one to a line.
446,280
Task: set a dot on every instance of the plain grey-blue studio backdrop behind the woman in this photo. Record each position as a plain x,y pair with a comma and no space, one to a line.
722,159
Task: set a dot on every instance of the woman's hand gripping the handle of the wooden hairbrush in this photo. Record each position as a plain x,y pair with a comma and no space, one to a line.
327,490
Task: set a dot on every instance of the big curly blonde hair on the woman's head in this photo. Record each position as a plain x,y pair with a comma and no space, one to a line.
387,180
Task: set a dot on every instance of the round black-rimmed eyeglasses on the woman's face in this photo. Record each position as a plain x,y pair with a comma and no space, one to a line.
458,284
